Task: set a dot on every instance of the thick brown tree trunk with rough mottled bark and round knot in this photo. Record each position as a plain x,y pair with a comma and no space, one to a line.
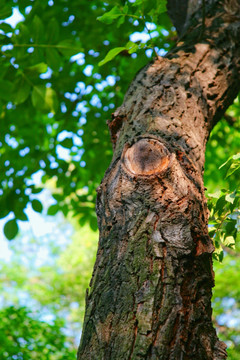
150,294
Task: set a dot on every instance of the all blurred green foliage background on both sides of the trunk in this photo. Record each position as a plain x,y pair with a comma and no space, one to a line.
65,67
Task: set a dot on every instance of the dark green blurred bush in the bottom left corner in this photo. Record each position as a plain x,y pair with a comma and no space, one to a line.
23,337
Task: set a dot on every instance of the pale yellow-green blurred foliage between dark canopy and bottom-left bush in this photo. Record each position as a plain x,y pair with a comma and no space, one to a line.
58,280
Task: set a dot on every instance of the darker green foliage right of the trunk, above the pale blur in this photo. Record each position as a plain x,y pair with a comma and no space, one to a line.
222,181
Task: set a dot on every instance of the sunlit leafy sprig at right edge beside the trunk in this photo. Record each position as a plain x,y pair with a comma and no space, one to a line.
224,209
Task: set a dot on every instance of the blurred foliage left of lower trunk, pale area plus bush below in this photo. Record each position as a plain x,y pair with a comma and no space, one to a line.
52,286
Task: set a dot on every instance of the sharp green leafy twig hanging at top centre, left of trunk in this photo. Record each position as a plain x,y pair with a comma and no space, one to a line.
140,10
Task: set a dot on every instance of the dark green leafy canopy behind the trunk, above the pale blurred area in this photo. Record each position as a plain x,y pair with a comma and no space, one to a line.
49,103
